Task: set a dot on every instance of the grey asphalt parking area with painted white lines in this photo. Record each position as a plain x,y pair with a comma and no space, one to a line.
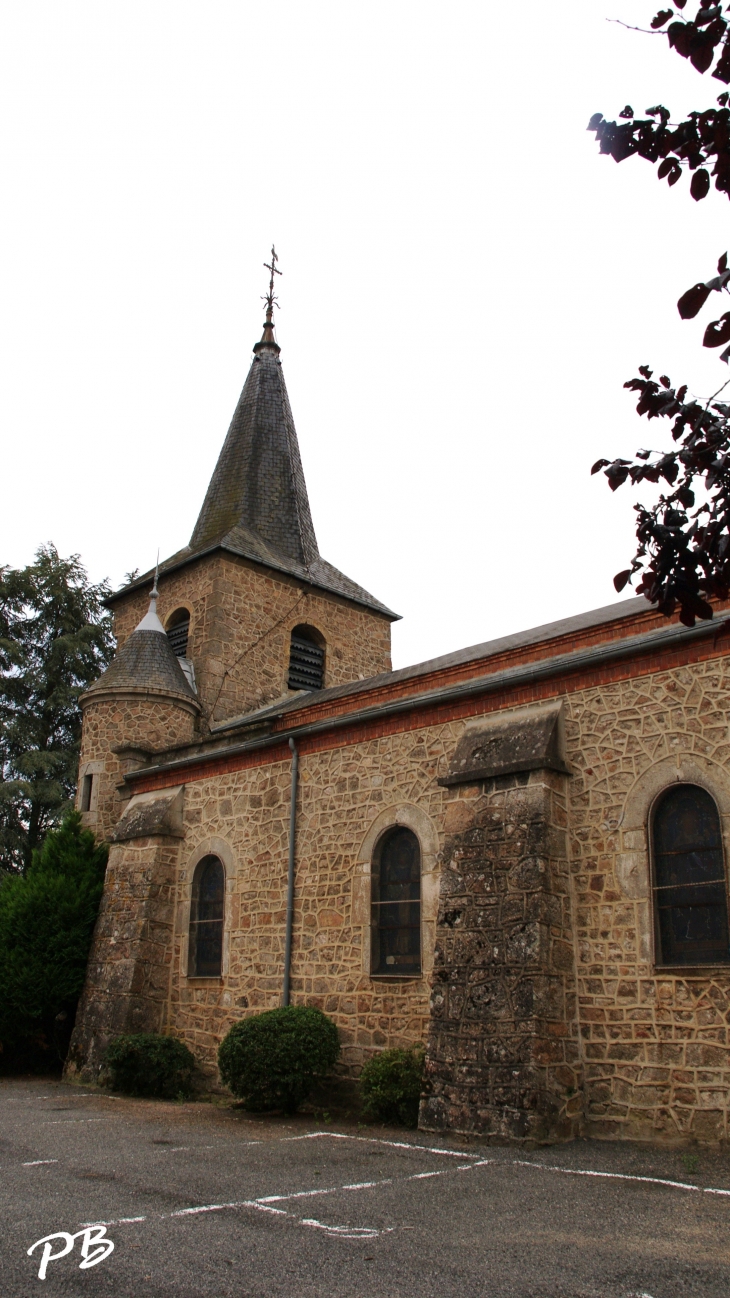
108,1196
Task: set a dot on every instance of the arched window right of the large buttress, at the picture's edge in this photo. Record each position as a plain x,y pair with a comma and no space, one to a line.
690,887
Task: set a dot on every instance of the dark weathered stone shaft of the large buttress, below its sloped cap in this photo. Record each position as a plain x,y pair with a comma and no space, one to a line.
503,1049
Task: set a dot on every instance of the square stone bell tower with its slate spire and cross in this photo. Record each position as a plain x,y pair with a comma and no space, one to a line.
251,582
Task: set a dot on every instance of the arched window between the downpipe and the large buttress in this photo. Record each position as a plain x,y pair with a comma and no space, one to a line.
397,904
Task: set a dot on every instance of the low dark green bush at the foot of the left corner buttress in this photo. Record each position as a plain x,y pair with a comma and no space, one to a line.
147,1064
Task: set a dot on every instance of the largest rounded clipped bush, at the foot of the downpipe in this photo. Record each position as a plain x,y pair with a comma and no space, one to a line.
272,1060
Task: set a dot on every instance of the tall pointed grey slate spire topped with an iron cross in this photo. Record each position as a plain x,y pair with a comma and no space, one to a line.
259,482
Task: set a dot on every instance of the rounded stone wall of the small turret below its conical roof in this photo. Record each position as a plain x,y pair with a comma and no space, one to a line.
124,720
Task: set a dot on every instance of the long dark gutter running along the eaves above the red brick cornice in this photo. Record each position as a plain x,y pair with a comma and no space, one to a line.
612,651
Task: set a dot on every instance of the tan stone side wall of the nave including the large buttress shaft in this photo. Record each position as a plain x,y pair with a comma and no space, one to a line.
636,1051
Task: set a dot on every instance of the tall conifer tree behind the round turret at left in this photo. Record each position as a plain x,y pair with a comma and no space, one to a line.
55,641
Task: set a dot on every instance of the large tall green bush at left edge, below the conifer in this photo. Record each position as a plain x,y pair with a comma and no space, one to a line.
47,920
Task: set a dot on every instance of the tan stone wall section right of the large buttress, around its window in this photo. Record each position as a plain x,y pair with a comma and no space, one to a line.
655,1042
